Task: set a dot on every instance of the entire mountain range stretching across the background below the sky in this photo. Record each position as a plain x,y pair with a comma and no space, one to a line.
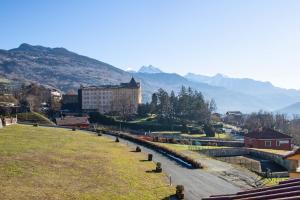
65,70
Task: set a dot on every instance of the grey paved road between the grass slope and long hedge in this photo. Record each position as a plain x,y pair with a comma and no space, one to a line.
198,183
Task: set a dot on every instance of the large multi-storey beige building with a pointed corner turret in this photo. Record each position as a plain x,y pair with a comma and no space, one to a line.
111,98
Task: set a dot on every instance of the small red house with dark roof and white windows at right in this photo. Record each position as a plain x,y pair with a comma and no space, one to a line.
267,138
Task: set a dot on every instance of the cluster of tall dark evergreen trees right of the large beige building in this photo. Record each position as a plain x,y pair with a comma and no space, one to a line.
188,106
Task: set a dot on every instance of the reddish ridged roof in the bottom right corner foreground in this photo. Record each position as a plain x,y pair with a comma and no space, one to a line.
288,189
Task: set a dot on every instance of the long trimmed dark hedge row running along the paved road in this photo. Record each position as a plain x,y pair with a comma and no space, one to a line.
192,162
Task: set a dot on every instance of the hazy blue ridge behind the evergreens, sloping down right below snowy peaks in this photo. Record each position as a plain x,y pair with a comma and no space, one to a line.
226,99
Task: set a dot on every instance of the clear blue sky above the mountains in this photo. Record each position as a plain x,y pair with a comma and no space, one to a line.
259,39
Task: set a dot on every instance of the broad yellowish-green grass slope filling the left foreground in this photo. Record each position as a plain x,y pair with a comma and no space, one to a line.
49,163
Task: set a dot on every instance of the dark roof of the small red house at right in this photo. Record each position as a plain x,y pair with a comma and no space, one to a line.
267,133
